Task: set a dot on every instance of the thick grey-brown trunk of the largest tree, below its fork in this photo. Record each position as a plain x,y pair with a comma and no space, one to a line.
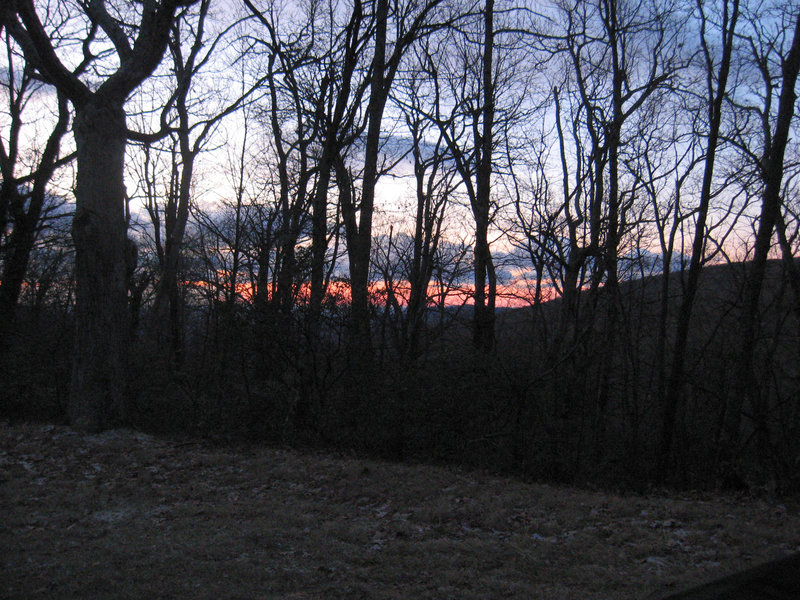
102,329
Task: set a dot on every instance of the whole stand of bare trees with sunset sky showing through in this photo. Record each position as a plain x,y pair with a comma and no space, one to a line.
554,239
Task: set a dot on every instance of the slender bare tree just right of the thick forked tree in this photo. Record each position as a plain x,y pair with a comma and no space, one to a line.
188,120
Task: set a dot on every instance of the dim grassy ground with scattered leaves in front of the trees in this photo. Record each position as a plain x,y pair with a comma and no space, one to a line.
127,515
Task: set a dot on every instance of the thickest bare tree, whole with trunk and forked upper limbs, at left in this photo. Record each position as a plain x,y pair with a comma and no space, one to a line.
136,37
